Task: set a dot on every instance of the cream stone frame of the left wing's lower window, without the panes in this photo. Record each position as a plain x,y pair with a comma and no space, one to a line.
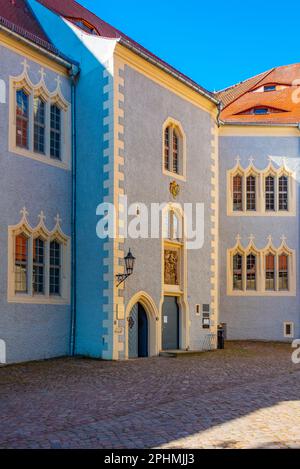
41,232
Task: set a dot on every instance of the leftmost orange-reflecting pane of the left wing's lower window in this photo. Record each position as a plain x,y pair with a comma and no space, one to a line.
21,263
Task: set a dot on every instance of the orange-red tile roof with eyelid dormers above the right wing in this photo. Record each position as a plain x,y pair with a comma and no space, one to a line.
240,99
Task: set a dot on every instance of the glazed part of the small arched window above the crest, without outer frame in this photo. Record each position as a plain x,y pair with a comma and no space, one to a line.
173,150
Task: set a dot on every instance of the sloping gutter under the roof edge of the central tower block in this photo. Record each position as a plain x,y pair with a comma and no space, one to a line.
166,69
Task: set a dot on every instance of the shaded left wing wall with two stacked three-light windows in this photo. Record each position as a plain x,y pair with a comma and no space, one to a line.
35,215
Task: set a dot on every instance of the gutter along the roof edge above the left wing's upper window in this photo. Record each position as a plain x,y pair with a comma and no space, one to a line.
10,29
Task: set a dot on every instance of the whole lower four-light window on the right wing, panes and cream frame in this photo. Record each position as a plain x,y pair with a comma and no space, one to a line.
272,275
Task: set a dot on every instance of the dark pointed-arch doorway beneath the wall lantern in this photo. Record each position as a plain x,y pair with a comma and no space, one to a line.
138,333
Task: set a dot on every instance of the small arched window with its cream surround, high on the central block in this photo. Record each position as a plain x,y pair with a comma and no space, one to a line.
174,149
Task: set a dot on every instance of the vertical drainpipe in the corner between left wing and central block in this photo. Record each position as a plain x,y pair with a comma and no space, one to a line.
74,72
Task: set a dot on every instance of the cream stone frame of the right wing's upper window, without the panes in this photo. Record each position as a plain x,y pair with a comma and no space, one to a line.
261,177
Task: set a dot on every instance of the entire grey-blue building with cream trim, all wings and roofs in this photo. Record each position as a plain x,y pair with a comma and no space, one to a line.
91,120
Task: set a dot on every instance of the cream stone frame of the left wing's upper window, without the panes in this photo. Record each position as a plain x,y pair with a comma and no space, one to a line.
49,98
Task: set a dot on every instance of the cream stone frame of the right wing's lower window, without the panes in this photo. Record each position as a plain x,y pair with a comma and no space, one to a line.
261,255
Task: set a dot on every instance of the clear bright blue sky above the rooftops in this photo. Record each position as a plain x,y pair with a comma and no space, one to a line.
215,43
